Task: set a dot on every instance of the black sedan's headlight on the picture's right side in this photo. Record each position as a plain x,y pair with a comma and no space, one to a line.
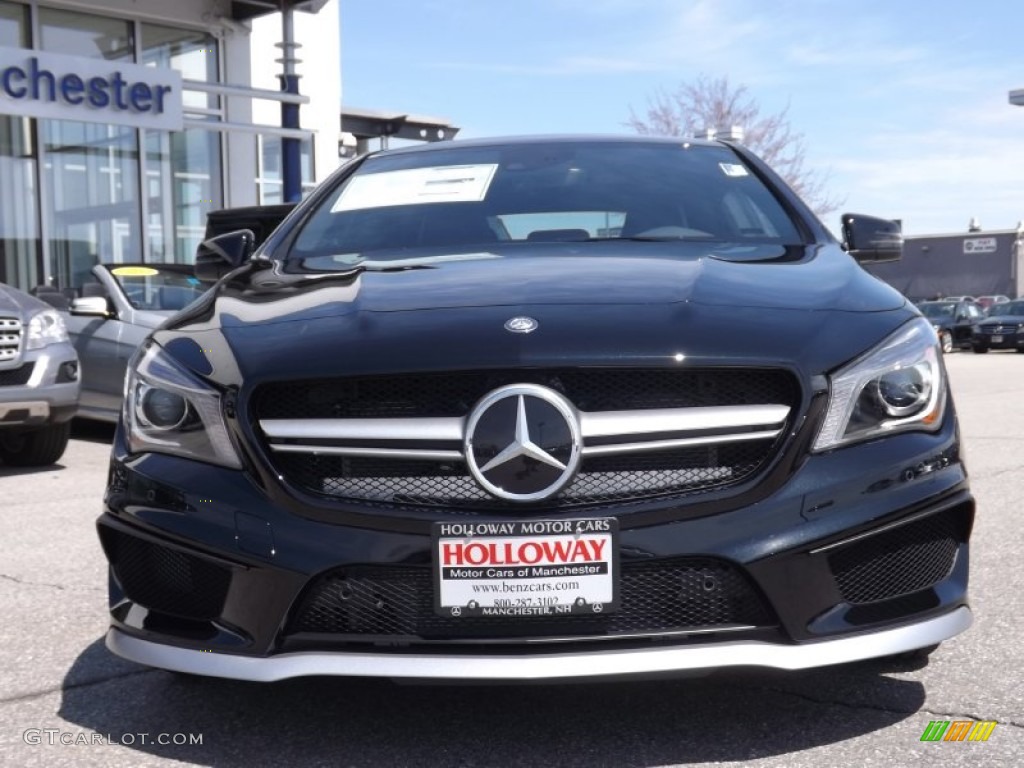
895,388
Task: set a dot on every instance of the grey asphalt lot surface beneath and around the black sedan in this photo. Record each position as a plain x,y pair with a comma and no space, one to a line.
66,701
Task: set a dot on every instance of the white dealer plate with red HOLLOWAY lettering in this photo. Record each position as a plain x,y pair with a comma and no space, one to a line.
526,568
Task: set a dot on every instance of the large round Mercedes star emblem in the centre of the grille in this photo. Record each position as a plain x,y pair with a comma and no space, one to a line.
524,443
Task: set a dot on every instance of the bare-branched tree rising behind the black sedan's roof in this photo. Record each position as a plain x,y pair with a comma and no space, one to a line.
711,103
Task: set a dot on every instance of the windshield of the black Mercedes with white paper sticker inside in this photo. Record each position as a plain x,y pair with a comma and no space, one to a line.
476,198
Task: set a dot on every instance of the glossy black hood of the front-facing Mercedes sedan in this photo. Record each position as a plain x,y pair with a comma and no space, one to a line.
810,308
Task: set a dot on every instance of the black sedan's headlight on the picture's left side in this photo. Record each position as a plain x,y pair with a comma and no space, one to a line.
168,410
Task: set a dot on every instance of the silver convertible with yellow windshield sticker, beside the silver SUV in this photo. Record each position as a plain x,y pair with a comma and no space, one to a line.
112,317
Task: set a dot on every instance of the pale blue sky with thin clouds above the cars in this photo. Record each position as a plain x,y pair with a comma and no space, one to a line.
904,104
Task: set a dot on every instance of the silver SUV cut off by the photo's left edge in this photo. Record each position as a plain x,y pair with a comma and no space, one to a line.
39,380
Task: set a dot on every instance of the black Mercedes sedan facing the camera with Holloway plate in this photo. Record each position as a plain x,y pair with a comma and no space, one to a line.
539,409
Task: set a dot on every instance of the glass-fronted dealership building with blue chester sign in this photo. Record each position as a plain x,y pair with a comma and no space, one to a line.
124,122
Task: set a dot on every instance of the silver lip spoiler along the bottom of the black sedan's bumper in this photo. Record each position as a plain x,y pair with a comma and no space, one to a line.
586,664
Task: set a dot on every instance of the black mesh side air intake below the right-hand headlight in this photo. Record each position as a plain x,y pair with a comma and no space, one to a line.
899,562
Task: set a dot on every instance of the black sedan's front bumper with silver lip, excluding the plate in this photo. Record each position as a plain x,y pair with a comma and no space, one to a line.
859,553
